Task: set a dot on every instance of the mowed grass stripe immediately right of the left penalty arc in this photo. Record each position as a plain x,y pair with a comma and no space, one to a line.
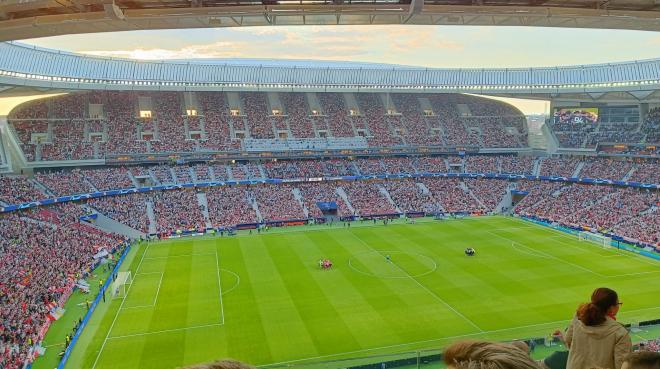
282,322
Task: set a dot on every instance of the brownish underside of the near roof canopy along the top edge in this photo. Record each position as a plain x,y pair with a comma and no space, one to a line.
22,19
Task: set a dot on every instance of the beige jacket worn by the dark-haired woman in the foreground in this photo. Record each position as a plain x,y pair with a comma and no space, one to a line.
602,346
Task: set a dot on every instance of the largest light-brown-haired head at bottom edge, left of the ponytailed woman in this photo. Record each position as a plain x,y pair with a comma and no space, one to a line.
486,355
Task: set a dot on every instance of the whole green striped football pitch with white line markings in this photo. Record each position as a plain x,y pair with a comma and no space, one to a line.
264,300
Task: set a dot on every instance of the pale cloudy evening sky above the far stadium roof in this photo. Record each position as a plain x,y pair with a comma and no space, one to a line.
425,46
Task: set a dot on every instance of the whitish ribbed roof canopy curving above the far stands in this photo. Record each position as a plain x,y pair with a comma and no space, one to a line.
27,69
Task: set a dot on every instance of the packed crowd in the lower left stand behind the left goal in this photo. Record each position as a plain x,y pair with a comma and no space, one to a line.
39,263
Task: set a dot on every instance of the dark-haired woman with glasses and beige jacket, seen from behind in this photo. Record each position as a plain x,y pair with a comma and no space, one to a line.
594,338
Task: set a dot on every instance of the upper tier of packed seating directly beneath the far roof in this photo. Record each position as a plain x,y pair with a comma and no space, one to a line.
63,128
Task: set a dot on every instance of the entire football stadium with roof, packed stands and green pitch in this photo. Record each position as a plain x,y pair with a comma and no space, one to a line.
287,213
